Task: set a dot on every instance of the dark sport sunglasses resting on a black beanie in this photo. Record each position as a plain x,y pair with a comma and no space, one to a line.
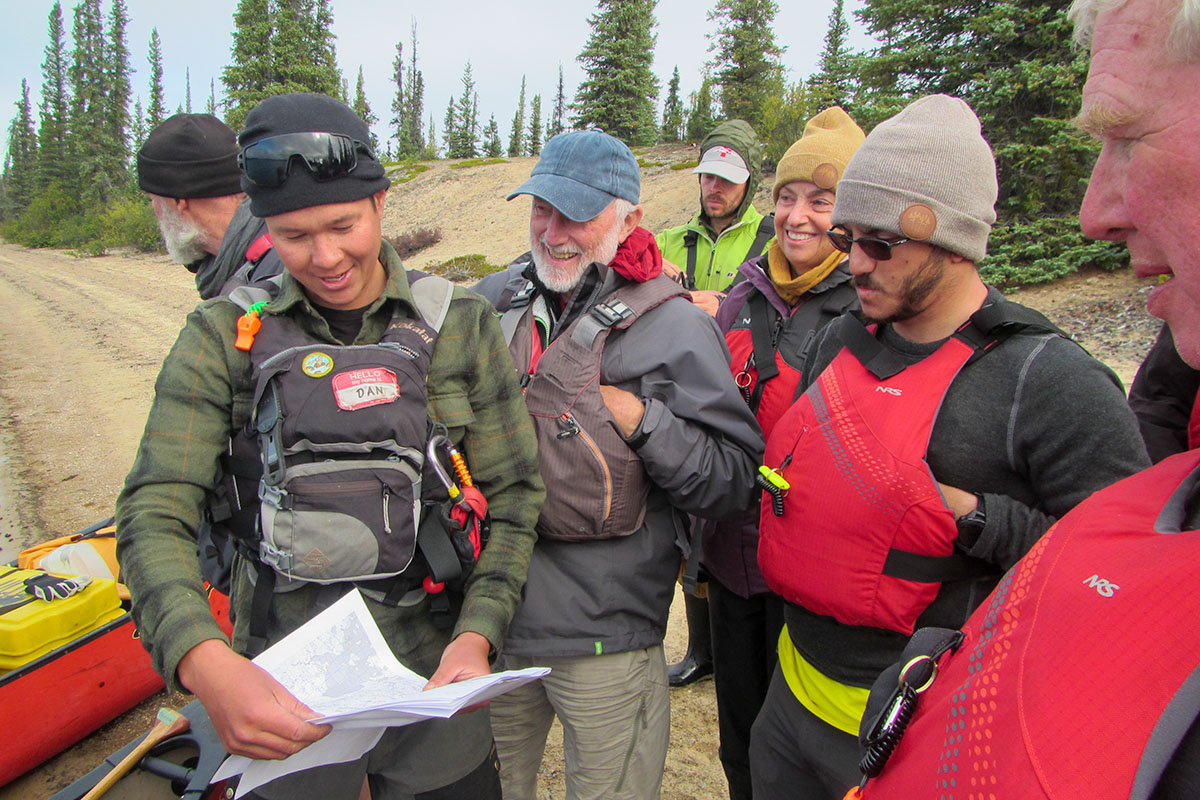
328,157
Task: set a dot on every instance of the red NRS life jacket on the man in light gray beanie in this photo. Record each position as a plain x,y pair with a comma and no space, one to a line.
866,537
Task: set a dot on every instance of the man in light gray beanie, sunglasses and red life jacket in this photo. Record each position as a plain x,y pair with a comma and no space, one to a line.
932,449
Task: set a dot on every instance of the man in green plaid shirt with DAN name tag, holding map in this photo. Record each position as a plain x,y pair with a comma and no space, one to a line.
322,193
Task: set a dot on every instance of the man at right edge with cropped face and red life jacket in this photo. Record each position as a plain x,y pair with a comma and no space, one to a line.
1084,651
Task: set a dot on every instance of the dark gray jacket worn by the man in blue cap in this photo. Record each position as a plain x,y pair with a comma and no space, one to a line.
700,447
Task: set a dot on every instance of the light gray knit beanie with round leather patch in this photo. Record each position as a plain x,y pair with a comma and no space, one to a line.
927,175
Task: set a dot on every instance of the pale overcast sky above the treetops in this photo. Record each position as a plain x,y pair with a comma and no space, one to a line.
502,43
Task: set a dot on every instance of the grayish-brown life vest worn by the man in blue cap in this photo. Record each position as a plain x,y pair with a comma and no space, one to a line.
596,485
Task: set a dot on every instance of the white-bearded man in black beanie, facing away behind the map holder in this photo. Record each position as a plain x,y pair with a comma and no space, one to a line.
189,167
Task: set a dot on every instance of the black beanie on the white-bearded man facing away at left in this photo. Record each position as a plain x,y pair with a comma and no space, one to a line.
190,155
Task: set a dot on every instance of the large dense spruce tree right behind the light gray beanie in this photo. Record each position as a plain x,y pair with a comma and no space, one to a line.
1015,63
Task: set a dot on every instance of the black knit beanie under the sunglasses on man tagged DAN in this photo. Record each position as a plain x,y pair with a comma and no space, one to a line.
304,113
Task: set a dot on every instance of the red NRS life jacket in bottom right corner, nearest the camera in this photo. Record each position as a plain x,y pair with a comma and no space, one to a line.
1081,675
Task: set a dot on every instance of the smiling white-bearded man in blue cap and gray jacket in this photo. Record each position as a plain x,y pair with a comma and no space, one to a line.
638,417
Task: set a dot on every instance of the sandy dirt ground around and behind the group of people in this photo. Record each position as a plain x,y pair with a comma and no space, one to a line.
83,340
